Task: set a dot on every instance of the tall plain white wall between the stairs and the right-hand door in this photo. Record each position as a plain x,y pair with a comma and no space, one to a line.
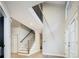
54,44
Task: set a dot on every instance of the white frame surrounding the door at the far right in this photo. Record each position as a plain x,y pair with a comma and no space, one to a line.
74,18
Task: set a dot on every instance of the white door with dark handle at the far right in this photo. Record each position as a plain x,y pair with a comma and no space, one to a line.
72,44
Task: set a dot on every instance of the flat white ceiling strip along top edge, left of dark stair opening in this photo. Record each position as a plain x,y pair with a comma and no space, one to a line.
23,3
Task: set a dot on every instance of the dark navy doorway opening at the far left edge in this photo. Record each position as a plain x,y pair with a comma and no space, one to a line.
1,34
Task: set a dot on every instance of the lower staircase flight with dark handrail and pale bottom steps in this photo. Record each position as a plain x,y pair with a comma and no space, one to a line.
26,43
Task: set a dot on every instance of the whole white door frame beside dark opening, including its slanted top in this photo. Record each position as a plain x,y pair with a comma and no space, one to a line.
7,30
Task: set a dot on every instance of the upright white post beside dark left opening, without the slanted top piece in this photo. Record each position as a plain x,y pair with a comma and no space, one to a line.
7,37
